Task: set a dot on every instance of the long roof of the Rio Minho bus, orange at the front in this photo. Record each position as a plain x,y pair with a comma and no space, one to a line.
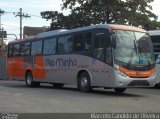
110,27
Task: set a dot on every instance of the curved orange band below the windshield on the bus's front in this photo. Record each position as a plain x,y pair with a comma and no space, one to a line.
137,74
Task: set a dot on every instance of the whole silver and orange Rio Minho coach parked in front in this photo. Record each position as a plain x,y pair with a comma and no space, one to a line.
109,56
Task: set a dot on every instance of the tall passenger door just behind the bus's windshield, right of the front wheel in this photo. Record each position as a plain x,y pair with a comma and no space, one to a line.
98,73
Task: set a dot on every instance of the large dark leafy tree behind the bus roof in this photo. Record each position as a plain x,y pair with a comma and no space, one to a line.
87,12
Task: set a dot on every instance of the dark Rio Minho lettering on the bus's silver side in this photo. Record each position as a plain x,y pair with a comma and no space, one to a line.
60,62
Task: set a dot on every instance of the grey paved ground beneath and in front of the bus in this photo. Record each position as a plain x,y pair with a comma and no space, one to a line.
16,97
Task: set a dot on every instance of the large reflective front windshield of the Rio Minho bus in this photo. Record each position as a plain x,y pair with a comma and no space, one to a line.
133,48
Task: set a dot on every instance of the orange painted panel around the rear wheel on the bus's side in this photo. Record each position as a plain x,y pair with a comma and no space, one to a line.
16,68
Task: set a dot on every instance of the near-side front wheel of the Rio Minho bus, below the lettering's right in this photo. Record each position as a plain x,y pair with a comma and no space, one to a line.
84,83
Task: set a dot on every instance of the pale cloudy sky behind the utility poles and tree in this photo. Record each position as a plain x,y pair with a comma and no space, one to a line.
10,23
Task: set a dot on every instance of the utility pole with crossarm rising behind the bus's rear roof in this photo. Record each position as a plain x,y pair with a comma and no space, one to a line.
21,16
